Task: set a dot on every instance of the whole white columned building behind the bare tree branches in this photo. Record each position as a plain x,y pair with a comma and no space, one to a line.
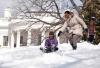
21,32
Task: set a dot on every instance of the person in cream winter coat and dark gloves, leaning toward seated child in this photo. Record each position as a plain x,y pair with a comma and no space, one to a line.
74,25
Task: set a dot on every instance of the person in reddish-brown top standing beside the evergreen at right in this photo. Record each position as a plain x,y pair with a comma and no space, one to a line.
91,30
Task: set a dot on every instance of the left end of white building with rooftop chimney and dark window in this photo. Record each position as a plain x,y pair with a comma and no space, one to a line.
4,22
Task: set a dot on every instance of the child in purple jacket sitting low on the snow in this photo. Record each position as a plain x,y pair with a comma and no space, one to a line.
50,43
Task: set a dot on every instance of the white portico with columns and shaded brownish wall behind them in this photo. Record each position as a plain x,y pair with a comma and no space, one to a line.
20,36
